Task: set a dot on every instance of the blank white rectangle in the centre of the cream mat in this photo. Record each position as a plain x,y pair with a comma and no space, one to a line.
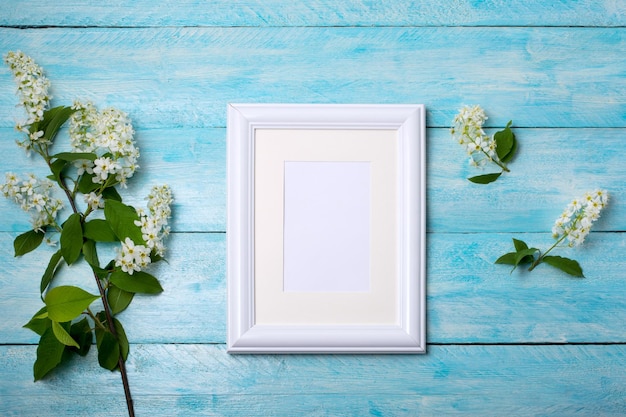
327,226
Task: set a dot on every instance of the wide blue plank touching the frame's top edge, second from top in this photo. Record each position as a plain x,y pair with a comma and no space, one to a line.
172,77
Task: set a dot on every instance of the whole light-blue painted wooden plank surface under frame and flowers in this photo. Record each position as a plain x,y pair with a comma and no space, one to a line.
539,343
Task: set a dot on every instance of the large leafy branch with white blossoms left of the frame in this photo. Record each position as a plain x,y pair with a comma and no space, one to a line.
103,156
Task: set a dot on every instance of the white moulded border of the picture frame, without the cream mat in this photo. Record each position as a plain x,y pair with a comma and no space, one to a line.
407,337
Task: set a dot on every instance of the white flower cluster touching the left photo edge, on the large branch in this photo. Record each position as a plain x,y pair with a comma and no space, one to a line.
33,195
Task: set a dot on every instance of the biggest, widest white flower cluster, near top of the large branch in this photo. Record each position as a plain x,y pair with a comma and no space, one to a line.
108,134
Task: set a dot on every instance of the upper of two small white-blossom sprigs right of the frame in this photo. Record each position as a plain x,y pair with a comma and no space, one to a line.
497,150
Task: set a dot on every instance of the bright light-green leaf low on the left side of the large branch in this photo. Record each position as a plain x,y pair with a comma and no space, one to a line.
67,302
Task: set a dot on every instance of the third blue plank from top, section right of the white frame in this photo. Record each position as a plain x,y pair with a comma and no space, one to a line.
552,167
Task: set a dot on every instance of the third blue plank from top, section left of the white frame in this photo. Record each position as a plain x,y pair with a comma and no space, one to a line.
191,161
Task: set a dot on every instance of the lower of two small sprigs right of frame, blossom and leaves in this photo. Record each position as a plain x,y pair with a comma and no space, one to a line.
570,229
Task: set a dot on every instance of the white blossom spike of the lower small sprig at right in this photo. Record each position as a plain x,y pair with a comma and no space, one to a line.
574,224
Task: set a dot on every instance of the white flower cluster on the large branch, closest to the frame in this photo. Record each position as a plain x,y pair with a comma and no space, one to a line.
134,257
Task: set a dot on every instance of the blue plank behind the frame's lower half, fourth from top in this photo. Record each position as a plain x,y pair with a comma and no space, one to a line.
469,298
